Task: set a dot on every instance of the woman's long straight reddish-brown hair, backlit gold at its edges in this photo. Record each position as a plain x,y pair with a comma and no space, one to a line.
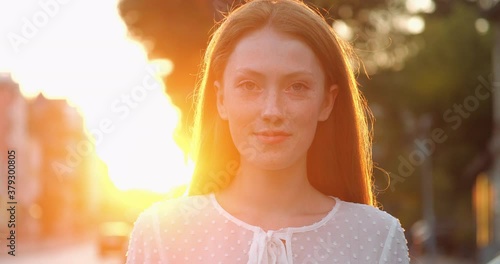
339,161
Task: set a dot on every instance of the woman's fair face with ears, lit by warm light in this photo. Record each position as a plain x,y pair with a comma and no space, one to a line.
273,94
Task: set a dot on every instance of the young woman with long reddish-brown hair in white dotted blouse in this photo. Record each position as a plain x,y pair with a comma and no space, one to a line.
282,152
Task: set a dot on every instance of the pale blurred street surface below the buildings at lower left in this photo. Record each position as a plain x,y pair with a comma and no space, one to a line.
84,252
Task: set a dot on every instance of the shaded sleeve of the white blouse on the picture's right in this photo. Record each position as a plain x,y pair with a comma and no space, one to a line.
395,247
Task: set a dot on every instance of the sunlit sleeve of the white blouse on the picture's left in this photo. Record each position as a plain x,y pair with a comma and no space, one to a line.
144,243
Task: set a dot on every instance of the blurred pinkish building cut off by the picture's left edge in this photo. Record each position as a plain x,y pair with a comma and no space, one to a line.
14,136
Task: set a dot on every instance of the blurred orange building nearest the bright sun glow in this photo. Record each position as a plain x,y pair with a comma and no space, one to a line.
67,168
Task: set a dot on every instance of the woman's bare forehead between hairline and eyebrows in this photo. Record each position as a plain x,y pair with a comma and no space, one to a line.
272,52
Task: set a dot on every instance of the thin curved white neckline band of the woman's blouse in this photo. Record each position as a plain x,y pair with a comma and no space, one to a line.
287,230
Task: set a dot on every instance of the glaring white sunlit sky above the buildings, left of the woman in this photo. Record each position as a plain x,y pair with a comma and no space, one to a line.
80,51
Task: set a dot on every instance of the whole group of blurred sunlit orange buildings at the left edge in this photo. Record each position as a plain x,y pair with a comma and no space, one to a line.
57,188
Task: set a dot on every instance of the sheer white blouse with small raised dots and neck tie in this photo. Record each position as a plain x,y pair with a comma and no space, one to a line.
196,229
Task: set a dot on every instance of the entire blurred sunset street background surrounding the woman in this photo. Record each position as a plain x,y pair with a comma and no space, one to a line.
95,99
